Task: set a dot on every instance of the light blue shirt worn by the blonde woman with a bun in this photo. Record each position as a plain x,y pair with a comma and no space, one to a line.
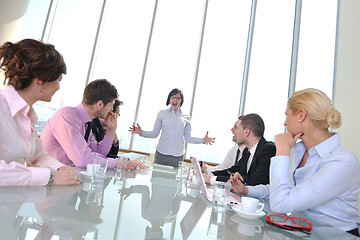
327,187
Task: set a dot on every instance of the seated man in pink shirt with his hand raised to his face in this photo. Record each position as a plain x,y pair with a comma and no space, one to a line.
67,135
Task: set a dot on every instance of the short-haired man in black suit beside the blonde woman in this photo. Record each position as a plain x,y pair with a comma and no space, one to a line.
255,161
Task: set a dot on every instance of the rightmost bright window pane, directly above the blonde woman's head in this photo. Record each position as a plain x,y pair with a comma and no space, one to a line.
317,45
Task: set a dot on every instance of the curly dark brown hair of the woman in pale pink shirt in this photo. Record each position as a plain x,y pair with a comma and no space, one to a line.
28,59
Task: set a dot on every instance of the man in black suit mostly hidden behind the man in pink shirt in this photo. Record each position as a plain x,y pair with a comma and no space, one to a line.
99,129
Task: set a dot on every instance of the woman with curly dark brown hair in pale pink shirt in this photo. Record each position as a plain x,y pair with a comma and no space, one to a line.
33,71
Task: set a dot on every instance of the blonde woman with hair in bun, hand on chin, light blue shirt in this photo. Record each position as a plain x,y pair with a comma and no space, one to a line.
325,177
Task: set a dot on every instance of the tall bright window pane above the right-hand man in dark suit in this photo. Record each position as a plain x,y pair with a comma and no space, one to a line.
270,60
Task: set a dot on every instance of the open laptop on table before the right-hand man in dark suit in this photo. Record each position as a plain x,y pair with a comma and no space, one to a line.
208,193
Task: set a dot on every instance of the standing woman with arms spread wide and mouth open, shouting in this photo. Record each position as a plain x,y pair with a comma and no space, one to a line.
176,129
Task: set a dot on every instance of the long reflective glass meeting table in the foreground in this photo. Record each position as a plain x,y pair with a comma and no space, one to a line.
142,204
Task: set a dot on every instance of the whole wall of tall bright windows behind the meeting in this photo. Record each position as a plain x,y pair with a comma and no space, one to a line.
210,49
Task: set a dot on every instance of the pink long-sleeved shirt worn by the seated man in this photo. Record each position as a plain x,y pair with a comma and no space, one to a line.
63,138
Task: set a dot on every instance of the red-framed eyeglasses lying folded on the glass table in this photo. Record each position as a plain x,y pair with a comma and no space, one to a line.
297,224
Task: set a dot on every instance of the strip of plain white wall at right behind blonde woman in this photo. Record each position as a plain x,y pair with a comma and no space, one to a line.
347,77
